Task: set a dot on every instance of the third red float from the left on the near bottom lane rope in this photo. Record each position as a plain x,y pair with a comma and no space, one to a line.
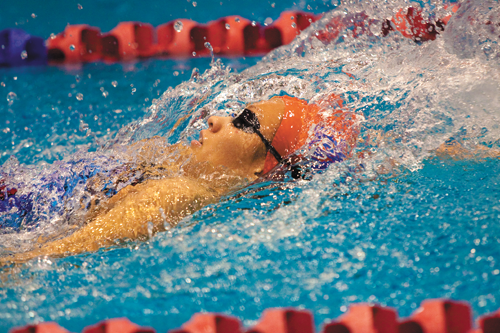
210,323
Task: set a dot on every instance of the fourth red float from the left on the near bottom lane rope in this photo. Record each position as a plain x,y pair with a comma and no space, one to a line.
284,321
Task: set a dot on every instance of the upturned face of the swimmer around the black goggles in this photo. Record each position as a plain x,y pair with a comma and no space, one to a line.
222,144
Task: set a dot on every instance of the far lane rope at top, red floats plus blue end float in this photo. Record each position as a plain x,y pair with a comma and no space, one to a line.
228,36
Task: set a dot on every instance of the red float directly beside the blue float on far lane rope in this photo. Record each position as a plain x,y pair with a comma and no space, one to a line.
78,43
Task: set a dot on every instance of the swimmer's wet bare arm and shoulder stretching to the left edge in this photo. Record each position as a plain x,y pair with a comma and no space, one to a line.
161,202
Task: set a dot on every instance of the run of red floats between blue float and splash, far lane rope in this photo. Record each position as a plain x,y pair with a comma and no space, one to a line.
231,36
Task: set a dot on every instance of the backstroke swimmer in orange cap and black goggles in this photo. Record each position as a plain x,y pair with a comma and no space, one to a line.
231,153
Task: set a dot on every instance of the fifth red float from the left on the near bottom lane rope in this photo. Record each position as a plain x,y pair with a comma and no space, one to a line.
365,318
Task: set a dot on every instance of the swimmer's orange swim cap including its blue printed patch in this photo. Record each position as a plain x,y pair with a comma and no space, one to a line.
333,132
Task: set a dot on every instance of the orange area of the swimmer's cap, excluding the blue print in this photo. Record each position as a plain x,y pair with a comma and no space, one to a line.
300,117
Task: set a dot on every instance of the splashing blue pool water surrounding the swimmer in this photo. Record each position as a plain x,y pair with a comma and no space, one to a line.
406,227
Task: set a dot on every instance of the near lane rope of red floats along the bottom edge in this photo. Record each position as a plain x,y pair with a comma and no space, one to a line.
433,316
